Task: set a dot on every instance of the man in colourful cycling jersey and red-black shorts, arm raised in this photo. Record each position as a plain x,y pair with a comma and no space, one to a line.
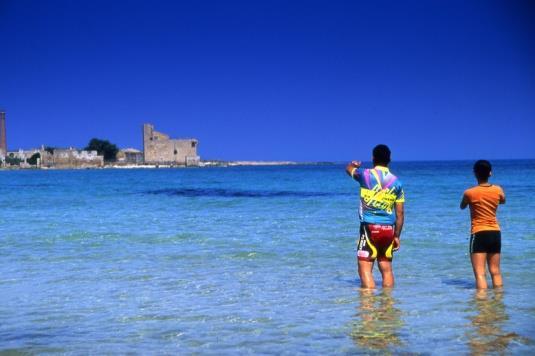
381,216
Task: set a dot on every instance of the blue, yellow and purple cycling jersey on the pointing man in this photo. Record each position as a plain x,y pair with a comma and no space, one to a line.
379,191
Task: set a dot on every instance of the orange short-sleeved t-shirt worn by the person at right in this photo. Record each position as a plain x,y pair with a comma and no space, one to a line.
483,201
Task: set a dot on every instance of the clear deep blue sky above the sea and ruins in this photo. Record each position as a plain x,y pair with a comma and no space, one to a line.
274,80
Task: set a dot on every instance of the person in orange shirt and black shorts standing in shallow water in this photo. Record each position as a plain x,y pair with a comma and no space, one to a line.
485,239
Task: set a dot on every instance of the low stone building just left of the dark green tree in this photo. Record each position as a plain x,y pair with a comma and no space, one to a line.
70,158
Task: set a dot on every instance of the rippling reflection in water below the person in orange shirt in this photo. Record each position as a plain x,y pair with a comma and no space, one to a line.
487,335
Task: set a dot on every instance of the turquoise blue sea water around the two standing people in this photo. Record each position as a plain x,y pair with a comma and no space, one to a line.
252,260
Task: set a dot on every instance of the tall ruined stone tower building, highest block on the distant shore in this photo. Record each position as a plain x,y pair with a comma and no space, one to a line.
159,148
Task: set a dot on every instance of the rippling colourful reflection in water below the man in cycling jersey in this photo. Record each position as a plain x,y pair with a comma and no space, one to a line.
377,321
